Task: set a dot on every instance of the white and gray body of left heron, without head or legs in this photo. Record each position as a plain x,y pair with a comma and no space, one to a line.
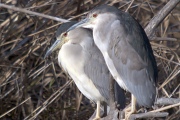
85,64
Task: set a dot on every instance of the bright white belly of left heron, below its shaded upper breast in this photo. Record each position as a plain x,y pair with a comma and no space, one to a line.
76,71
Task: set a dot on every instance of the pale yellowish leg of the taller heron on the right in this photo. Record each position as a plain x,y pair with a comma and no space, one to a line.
133,107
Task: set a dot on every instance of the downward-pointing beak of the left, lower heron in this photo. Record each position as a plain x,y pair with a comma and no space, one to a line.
56,44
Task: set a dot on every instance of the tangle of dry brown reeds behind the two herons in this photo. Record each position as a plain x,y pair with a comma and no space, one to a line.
32,87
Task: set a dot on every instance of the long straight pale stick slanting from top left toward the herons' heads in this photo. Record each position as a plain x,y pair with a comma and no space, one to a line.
32,13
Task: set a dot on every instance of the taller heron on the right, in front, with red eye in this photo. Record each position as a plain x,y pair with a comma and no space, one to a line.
126,50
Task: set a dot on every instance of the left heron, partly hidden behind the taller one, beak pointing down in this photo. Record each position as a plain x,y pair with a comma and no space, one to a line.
83,61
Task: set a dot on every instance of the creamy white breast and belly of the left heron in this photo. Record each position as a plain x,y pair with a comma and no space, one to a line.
72,60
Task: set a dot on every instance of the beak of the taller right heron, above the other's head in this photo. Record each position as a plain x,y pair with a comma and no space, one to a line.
84,23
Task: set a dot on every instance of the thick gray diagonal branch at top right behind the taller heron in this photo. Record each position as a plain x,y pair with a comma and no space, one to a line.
156,20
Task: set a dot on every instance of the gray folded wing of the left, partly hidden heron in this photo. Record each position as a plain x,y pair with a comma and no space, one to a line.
97,70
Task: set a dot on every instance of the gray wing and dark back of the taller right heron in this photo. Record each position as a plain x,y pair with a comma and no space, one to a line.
133,58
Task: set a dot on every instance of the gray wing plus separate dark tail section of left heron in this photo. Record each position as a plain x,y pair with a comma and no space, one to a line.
98,72
